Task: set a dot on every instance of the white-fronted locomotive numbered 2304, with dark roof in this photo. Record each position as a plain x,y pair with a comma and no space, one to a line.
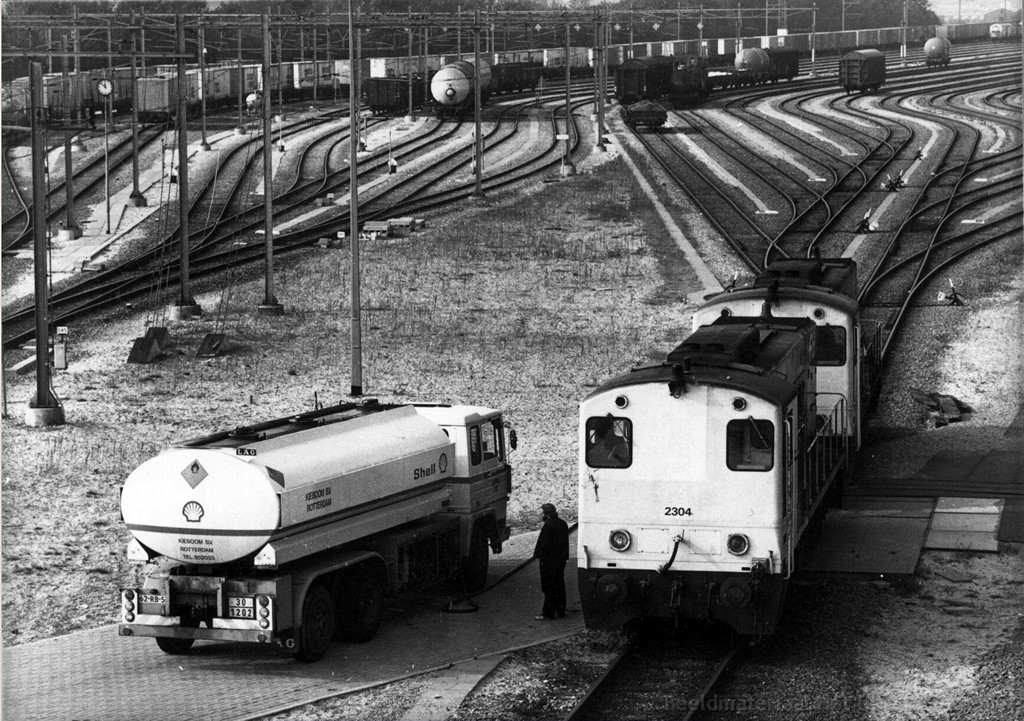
701,478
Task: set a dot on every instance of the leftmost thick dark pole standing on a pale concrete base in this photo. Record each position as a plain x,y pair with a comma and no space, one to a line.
45,409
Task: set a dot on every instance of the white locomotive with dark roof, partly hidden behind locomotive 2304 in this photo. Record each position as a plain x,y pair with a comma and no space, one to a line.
824,290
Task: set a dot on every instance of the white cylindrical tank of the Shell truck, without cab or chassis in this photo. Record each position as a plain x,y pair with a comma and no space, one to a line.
217,505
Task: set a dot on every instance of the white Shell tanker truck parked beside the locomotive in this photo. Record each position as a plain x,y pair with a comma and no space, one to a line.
293,532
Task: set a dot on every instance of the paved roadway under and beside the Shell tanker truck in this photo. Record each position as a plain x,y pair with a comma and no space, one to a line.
99,675
